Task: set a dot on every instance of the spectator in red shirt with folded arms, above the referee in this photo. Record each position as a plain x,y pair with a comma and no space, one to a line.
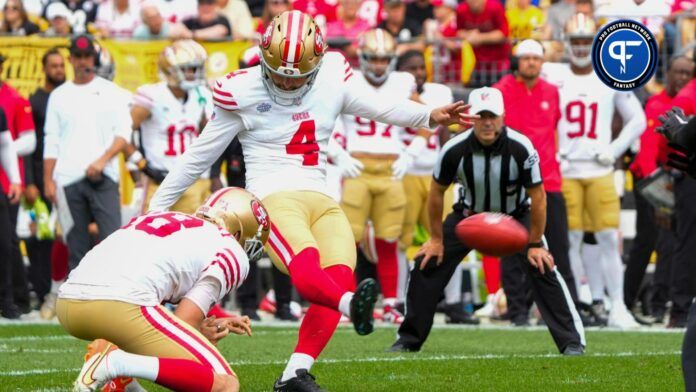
483,24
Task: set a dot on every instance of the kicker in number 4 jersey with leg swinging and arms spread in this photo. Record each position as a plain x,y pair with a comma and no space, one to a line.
284,112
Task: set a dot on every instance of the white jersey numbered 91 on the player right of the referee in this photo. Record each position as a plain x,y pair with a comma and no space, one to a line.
585,129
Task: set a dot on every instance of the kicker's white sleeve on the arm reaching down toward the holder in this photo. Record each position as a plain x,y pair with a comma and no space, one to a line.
204,150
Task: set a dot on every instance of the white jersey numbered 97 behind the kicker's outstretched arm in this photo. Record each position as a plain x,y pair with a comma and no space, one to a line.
373,137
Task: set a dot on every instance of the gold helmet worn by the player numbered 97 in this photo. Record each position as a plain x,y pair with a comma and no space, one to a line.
377,53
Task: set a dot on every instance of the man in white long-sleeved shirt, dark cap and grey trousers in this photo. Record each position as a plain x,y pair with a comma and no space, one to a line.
87,125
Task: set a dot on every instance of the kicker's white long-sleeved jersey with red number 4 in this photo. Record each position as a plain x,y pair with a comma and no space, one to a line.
284,146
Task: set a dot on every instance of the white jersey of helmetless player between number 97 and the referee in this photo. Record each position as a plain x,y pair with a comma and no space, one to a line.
434,94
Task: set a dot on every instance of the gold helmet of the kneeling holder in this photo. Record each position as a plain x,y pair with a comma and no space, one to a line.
242,215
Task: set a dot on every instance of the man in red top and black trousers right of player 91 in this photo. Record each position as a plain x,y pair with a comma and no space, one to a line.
650,237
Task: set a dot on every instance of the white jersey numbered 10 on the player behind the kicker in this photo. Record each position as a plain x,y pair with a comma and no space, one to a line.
173,124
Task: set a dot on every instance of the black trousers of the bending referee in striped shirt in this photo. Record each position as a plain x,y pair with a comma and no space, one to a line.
425,288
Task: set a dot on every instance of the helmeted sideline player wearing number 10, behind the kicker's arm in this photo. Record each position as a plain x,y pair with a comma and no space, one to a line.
170,114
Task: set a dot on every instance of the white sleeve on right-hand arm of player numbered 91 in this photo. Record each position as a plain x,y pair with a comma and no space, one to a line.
634,122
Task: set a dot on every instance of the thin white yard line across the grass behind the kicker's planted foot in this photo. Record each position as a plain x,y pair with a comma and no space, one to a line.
397,358
